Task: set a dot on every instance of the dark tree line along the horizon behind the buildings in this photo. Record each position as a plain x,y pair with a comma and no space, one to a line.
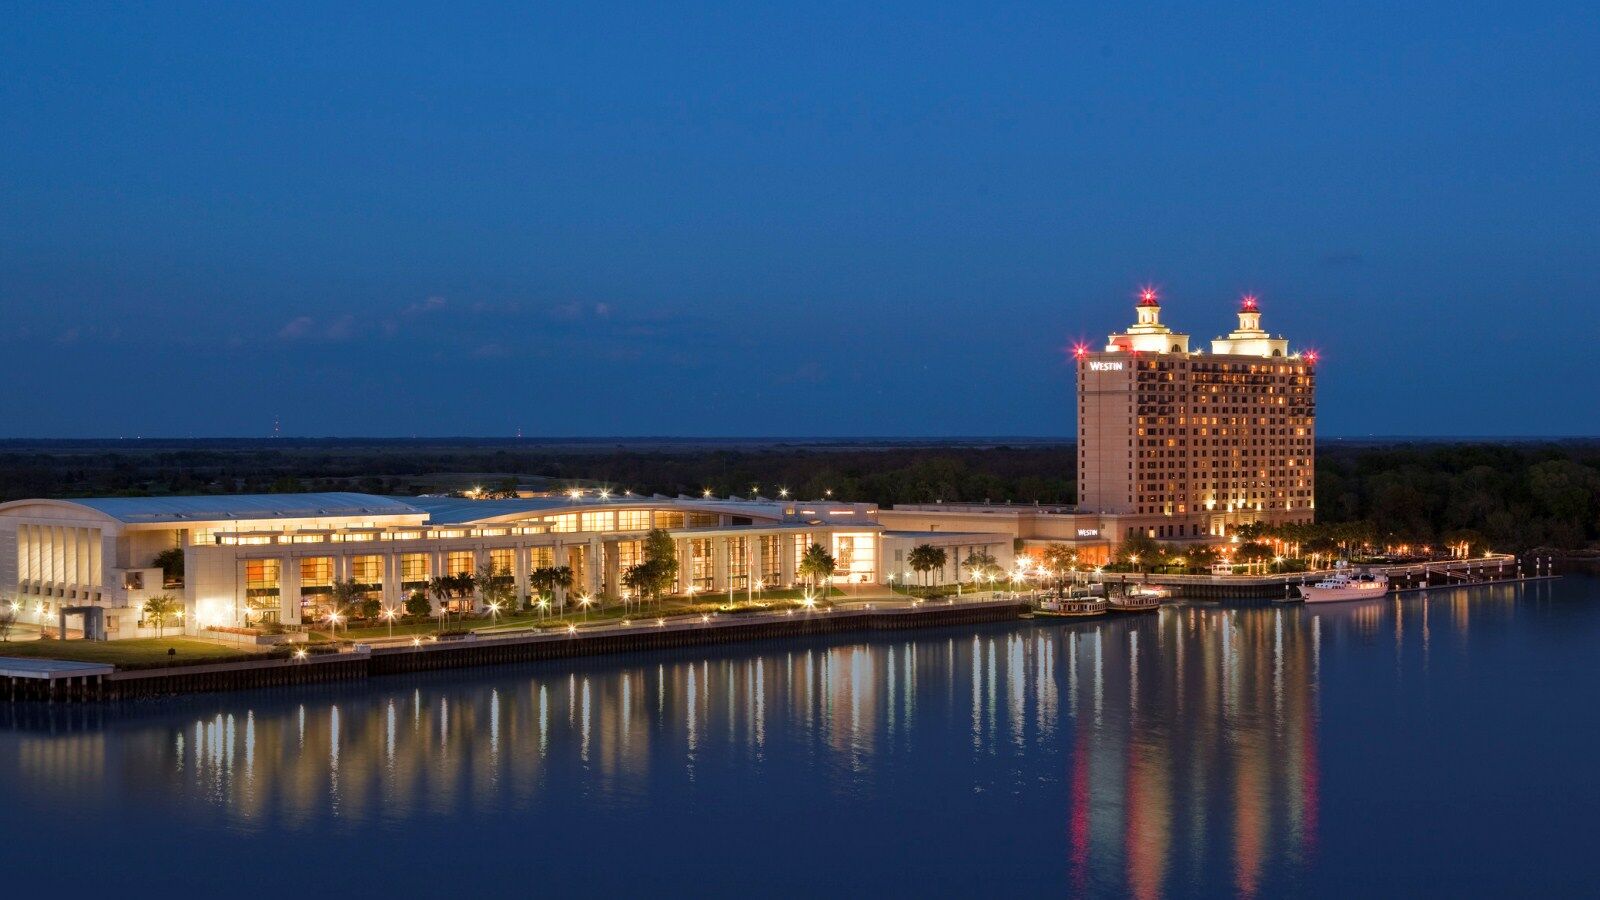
1511,496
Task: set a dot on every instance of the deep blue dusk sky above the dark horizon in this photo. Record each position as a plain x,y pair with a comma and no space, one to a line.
804,220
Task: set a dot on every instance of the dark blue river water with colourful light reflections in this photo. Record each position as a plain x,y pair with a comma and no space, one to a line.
1422,745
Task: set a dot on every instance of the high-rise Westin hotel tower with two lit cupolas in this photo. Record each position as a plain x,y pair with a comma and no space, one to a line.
1193,444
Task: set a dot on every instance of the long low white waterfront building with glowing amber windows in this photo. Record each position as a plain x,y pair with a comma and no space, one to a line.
252,560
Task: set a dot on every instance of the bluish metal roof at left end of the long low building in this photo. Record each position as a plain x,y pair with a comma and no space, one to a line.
142,510
